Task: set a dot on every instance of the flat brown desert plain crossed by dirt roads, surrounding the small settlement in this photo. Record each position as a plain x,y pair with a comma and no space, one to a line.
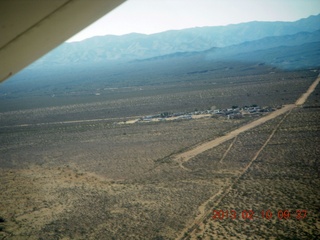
74,172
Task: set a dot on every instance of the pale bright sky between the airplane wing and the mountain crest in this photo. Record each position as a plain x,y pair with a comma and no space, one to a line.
152,16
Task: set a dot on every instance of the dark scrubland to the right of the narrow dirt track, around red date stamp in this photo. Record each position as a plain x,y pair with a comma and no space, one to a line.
285,176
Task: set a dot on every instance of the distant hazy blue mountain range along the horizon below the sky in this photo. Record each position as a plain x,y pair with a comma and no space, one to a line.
141,46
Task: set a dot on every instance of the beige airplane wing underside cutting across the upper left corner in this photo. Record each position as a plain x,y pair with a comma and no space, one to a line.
31,28
